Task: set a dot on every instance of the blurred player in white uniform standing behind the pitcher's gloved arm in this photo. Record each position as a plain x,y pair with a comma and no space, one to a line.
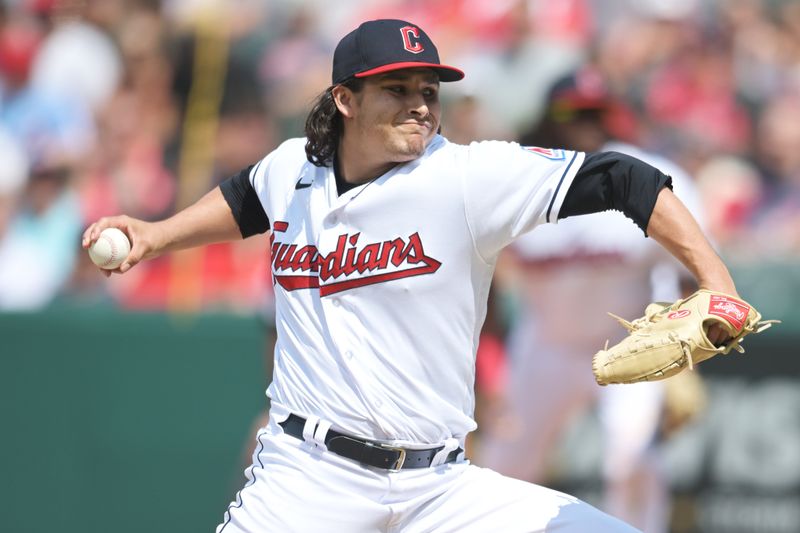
567,277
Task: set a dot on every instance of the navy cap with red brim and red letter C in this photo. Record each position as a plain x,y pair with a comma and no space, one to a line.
385,45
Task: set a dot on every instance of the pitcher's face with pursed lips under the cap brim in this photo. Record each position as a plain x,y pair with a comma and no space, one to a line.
398,113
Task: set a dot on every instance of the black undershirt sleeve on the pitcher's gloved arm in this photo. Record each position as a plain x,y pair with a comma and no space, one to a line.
611,180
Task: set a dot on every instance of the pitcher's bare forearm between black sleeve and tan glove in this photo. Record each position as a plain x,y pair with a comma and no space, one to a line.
675,229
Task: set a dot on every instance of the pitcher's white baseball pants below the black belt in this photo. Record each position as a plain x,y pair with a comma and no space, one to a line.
294,488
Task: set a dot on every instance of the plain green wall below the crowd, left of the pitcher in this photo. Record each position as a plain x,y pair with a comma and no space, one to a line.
116,423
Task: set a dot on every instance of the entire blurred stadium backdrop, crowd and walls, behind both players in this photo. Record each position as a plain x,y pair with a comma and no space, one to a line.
128,404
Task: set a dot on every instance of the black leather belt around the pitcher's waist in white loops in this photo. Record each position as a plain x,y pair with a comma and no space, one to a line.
368,452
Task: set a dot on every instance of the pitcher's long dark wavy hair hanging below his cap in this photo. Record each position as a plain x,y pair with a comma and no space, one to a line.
324,125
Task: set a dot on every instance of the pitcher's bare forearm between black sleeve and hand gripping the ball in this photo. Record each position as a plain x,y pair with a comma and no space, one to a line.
207,221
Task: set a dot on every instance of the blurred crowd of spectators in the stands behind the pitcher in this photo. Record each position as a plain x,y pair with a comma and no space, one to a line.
140,106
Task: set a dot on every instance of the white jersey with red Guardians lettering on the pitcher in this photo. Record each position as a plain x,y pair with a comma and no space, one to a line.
381,291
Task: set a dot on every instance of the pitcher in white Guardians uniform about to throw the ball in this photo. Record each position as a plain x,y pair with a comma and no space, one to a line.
384,240
